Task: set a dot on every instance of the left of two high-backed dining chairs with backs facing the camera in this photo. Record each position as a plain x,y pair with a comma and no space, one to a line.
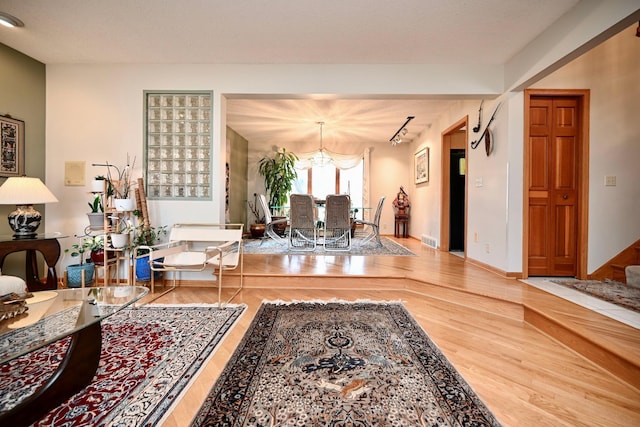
302,228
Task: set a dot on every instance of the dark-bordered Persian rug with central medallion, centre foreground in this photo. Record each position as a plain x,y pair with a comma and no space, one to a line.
339,364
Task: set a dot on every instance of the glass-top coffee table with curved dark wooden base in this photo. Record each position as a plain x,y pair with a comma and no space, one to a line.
51,316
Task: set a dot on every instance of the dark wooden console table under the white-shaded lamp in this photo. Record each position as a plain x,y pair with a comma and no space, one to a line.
47,245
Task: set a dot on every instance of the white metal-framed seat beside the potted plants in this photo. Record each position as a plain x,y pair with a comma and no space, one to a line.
196,247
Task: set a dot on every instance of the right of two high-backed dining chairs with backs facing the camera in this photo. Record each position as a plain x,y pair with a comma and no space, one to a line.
337,223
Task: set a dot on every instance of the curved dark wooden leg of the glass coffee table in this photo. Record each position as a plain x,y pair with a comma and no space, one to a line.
75,372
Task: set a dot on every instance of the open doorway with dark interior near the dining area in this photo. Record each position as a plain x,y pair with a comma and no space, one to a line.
453,216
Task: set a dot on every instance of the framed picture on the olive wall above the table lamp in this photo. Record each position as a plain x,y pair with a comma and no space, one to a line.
11,147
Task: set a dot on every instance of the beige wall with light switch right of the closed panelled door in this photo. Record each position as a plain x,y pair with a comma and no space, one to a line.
611,71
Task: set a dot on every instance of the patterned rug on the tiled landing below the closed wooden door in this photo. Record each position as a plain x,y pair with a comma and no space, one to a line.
610,290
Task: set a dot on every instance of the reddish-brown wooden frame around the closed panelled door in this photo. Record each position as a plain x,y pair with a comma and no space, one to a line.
582,241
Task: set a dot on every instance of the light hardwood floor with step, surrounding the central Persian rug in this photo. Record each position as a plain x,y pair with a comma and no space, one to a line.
534,358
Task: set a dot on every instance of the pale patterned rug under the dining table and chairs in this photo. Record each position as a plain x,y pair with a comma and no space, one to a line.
270,246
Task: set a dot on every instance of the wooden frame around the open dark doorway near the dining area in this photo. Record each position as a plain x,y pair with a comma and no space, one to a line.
445,193
